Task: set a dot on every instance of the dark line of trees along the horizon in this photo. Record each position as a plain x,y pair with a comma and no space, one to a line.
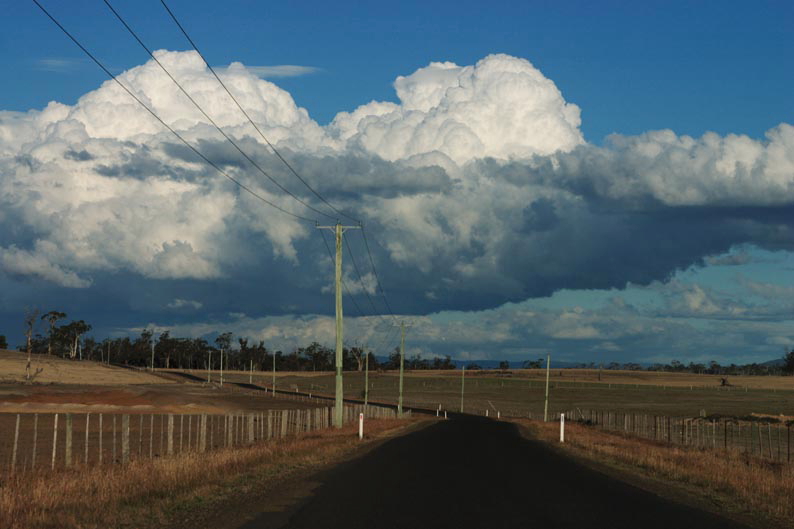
69,340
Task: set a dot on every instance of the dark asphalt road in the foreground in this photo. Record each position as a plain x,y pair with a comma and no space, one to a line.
478,473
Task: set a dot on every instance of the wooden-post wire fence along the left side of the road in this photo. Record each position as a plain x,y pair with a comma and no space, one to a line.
51,441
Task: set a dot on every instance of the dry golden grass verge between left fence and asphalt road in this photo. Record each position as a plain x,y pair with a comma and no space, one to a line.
174,491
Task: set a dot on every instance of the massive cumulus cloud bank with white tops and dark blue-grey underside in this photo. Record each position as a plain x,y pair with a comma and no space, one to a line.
476,188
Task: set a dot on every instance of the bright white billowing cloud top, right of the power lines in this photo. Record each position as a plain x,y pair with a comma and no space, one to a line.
501,107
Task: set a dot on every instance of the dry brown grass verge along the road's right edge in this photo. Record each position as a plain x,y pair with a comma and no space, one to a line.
730,482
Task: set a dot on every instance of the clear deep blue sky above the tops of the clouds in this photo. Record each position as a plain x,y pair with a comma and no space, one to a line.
632,66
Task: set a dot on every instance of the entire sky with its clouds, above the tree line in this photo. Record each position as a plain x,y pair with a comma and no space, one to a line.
545,237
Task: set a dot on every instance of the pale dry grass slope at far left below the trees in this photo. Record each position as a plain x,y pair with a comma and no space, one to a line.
61,371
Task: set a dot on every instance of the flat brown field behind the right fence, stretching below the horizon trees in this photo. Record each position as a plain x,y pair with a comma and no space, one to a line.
522,395
